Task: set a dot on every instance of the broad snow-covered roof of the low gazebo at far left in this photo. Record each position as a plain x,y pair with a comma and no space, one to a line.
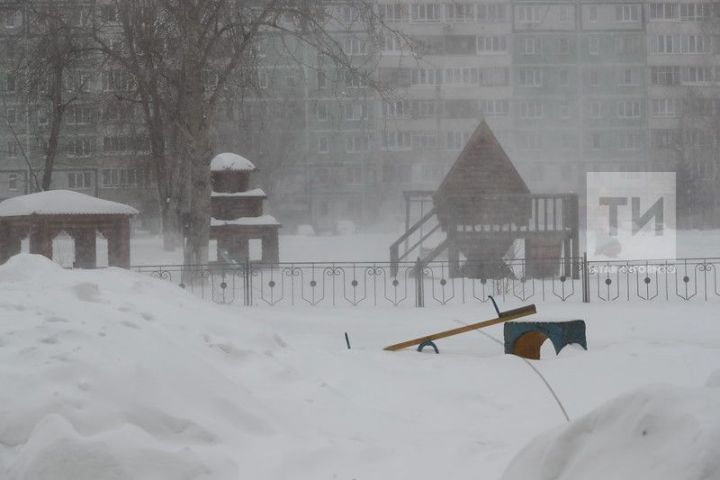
61,202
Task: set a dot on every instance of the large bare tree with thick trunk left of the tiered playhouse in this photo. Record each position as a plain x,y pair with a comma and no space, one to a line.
183,56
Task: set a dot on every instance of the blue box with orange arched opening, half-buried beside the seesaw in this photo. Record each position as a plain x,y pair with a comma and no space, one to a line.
525,338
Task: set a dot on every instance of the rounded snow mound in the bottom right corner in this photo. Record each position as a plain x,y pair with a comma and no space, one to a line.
659,433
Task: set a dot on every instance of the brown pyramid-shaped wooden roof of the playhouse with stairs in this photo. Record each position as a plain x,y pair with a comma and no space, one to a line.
482,168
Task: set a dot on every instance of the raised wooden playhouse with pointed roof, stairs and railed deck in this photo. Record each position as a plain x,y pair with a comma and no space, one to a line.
480,210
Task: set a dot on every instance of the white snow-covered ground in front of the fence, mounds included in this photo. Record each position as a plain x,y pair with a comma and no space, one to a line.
110,375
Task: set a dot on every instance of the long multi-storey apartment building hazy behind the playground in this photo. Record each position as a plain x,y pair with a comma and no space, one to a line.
568,86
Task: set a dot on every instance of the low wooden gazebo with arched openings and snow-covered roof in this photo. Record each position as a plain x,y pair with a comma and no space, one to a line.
42,216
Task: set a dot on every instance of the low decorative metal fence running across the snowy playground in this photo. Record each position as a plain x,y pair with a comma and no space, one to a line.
416,284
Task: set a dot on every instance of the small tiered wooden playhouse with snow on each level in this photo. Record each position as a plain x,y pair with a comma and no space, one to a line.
237,212
